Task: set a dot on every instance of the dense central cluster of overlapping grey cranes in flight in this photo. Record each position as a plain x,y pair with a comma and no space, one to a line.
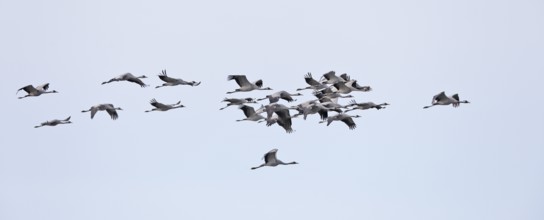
327,91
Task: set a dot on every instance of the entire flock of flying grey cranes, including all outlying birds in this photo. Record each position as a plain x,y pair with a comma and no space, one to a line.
326,92
